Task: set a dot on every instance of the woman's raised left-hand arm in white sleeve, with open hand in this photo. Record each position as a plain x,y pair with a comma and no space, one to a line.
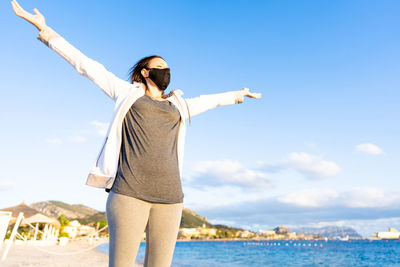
96,72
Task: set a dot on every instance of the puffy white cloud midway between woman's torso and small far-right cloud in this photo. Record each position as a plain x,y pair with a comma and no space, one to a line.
312,166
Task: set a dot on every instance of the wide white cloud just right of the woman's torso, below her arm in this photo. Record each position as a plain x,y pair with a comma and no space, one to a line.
227,172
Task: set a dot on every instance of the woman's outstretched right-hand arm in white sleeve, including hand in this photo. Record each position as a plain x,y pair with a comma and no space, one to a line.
203,103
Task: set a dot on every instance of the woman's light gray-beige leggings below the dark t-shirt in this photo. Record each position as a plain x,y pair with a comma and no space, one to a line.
129,217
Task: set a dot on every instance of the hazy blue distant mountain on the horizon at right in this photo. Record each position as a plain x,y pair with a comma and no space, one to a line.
328,231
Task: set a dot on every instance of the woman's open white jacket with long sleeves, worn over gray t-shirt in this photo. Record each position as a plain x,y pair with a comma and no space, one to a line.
124,94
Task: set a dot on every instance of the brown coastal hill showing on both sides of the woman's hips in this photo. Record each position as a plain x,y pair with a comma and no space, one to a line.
86,215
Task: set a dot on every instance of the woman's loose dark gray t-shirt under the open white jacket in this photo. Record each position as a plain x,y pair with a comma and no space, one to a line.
148,166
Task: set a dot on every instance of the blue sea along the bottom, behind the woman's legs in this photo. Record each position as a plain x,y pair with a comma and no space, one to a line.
282,253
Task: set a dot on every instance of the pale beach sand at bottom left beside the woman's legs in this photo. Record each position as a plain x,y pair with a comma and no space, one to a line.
46,256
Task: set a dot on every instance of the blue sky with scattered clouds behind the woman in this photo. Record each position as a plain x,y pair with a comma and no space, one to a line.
320,148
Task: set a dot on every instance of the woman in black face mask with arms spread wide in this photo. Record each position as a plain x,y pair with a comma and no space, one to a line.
141,159
